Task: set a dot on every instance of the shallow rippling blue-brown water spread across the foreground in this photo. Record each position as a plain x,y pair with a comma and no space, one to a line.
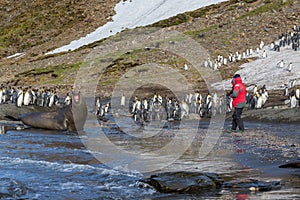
59,166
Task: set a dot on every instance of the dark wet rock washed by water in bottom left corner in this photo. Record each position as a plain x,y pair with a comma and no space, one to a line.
10,188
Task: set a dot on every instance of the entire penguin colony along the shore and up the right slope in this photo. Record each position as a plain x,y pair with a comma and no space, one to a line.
170,108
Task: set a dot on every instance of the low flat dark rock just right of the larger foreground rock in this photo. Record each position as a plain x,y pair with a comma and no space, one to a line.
252,185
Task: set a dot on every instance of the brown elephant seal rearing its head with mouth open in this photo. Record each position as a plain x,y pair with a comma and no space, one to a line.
71,117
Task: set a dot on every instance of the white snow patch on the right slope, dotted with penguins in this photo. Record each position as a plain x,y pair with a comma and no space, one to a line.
265,71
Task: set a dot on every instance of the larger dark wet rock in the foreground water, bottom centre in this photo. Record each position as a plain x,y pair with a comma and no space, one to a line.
184,182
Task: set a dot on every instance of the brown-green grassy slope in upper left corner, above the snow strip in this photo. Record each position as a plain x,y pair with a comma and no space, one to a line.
25,24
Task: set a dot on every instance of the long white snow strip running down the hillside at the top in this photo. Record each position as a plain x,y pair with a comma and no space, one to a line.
135,13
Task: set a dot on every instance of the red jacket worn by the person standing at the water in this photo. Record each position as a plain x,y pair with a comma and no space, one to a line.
239,93
